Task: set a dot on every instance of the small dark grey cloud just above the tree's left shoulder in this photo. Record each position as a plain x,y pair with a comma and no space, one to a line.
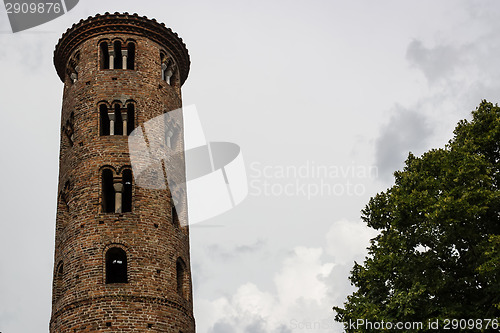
406,131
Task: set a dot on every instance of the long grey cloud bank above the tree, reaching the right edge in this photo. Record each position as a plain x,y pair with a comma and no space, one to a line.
459,73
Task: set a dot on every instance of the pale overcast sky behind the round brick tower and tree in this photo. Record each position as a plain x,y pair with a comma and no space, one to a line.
325,99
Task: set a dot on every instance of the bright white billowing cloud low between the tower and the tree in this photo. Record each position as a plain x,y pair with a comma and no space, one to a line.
306,286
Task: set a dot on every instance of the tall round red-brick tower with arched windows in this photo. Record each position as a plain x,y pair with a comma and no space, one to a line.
121,255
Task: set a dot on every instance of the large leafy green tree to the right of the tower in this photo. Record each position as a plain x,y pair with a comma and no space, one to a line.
437,254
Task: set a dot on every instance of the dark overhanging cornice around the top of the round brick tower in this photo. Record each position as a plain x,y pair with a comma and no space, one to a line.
125,24
